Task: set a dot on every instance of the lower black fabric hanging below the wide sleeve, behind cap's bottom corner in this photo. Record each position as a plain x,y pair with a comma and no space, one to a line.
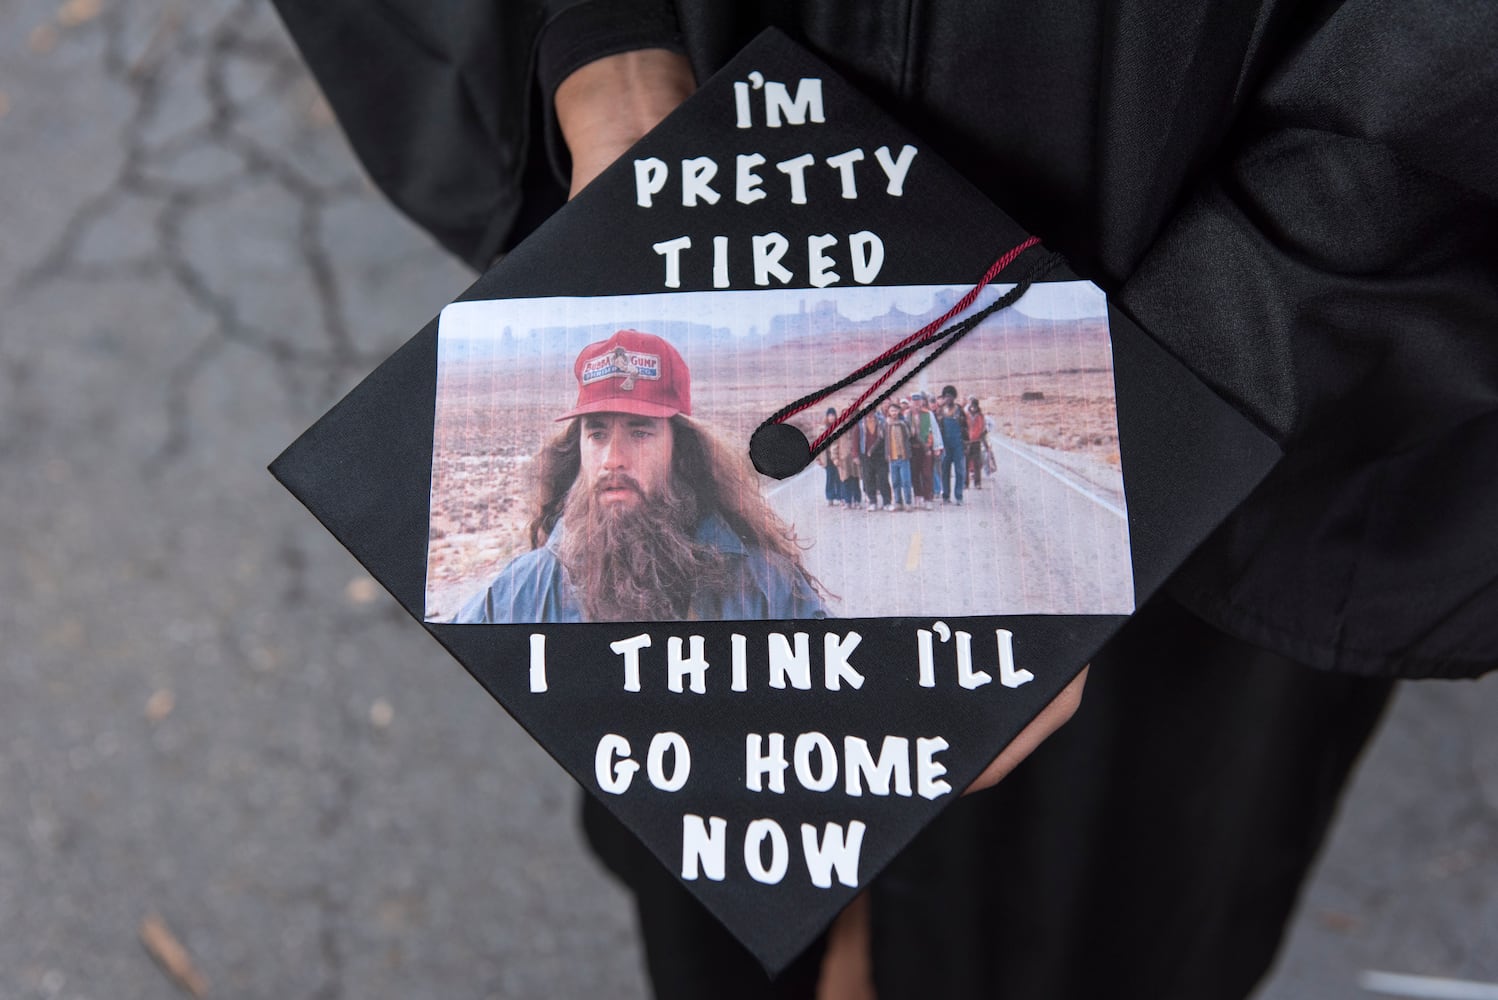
1150,851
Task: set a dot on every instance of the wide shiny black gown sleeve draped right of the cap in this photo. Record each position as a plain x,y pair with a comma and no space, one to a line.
1337,278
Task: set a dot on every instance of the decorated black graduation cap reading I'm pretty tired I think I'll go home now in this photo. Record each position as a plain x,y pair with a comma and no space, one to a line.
774,685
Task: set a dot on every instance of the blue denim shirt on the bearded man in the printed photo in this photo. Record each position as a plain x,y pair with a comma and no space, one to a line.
534,589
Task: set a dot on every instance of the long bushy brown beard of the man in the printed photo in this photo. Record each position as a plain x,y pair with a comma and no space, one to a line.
637,562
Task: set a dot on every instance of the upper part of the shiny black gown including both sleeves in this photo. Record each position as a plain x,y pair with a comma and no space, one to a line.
1298,200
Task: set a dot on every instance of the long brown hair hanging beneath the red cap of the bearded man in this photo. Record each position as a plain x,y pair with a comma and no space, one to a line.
723,480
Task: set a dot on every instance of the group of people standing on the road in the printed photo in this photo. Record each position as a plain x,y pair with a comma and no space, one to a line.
909,453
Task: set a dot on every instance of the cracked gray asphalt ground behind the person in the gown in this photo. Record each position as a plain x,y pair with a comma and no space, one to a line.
209,713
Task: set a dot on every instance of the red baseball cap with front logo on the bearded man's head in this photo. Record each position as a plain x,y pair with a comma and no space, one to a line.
631,374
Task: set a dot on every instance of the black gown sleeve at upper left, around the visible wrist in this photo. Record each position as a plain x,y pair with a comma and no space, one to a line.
449,103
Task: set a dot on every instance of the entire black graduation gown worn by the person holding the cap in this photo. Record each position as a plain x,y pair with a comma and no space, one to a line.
1298,200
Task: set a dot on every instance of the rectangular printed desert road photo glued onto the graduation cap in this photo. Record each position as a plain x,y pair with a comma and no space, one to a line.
591,460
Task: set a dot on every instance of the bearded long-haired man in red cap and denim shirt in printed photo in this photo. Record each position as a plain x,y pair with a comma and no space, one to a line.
642,514
